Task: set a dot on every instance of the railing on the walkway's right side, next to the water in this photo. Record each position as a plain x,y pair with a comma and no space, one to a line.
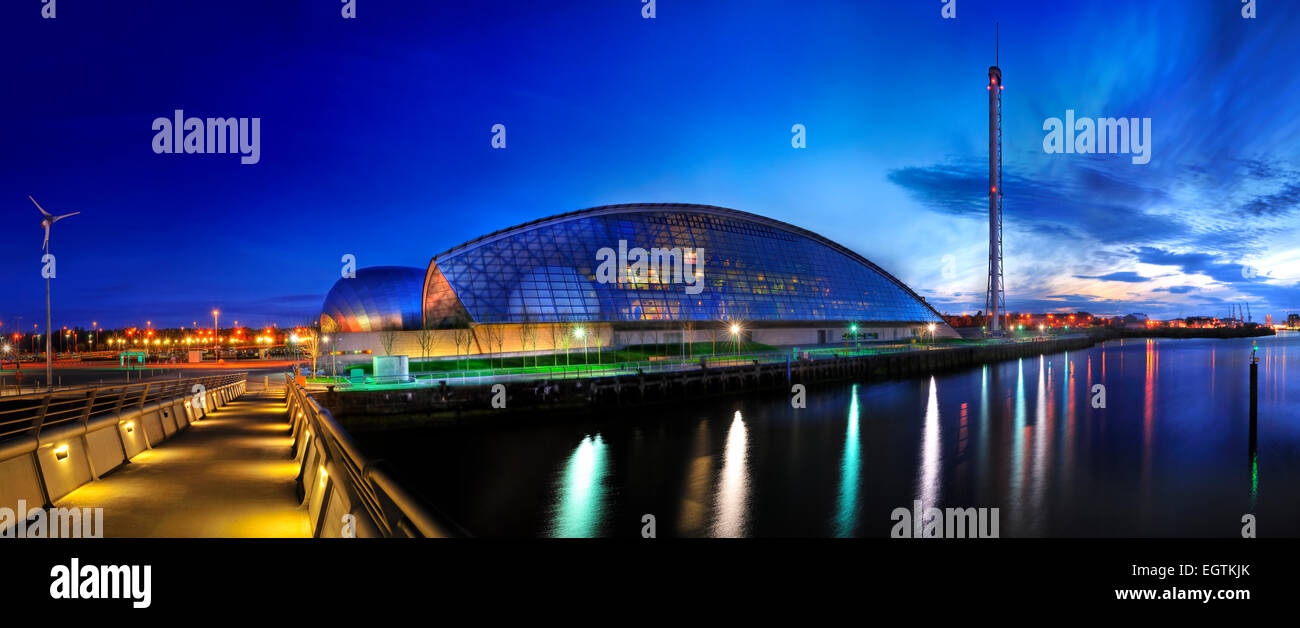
395,510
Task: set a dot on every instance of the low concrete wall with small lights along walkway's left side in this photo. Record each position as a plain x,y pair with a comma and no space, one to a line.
96,448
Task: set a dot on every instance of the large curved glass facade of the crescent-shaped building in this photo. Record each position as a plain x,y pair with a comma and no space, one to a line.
567,268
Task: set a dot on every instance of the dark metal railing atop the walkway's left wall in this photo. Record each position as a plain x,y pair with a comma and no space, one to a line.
29,414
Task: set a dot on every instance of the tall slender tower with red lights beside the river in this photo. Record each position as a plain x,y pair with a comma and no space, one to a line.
995,301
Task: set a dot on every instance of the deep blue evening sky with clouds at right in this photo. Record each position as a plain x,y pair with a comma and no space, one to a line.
376,142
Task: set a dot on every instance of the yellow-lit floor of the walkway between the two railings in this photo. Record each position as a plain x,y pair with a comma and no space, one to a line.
228,477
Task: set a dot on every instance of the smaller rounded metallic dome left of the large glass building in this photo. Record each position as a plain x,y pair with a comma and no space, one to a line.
378,300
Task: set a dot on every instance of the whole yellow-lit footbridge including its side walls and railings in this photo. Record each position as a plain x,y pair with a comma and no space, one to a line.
213,457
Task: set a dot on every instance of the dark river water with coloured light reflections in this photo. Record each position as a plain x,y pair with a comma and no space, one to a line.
1165,457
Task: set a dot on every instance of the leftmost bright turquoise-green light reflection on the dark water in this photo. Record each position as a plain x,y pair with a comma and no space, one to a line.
580,508
